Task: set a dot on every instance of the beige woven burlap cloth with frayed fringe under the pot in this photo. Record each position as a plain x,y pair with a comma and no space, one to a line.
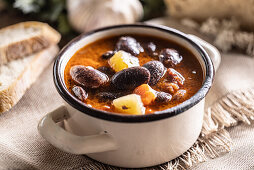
21,146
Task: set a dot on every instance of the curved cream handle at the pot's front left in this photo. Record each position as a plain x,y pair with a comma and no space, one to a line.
71,143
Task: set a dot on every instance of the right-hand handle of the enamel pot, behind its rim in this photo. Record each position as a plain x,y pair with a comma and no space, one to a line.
210,49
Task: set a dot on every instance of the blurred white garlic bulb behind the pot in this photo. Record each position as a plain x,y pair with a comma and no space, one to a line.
86,15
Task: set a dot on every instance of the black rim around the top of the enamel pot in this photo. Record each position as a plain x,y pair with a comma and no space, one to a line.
171,112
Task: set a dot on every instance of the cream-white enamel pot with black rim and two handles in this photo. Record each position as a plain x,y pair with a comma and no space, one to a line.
128,140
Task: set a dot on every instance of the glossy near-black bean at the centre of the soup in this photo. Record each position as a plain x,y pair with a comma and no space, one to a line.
131,78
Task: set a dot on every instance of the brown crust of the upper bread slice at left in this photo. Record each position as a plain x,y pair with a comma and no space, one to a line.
47,37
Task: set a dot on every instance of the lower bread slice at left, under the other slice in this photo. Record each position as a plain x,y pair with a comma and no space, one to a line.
18,75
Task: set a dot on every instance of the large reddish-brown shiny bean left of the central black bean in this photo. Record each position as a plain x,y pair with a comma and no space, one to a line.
88,76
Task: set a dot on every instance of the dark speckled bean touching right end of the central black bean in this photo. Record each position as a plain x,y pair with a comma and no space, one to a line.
157,71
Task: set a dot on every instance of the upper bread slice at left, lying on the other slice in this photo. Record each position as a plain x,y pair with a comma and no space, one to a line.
26,38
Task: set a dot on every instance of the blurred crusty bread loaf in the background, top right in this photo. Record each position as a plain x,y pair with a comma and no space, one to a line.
243,11
